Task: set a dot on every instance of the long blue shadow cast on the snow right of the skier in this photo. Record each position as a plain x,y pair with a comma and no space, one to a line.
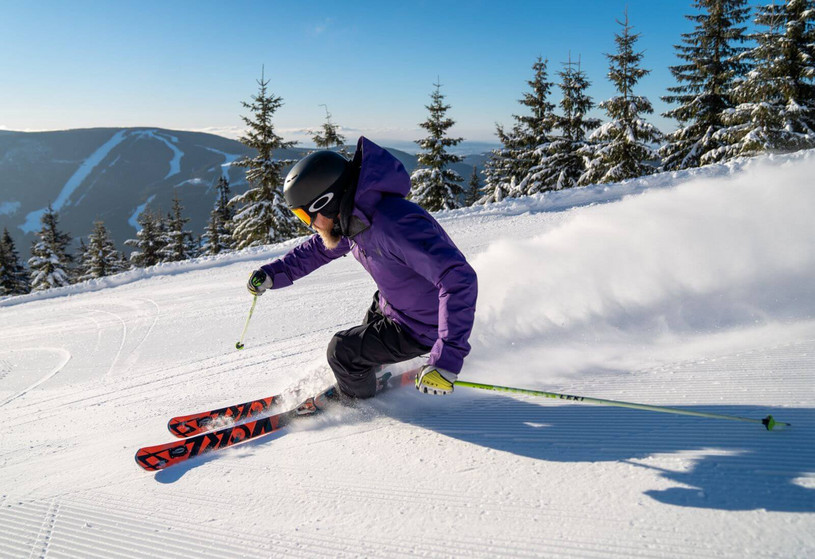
735,465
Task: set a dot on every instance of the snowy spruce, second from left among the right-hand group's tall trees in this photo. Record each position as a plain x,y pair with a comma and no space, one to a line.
562,164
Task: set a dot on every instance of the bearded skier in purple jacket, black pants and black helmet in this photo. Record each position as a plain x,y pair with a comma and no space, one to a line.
426,289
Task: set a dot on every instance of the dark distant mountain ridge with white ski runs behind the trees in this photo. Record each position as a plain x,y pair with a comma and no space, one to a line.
113,174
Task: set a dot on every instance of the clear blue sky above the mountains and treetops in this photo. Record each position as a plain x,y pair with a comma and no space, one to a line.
188,65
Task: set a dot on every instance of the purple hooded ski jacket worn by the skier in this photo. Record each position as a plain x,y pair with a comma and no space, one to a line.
425,283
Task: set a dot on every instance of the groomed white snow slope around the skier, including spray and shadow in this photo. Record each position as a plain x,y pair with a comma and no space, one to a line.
691,290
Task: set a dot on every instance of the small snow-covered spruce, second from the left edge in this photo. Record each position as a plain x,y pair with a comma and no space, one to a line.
50,263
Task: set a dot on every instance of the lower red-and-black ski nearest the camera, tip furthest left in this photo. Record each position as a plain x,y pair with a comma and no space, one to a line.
159,457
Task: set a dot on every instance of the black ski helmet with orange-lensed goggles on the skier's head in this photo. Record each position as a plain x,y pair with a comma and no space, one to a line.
316,184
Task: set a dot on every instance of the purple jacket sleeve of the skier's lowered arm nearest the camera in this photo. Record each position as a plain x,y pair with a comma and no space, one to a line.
424,246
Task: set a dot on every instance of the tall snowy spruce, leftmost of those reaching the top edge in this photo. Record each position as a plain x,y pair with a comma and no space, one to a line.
713,62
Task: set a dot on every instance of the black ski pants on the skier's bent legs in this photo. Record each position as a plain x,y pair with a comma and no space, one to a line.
355,354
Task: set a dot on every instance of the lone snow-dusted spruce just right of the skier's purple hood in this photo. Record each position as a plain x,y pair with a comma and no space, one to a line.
435,185
